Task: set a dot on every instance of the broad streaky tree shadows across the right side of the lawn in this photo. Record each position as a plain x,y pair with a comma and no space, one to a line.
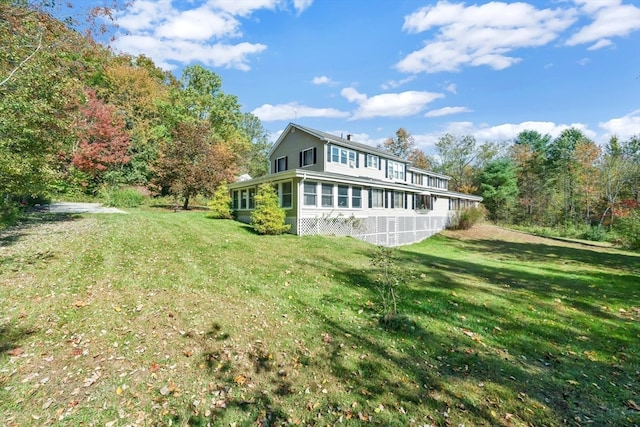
546,344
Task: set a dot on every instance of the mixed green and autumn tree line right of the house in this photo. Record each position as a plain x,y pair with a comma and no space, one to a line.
569,183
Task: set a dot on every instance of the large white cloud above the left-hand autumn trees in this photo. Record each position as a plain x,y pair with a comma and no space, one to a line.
201,32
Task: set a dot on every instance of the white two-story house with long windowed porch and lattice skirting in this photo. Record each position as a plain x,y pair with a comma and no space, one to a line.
336,186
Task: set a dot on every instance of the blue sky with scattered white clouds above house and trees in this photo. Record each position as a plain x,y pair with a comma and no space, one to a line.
369,67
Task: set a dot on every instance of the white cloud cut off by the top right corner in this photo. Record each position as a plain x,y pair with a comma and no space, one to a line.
611,18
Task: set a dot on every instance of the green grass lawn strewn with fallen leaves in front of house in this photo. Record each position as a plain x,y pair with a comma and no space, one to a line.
158,318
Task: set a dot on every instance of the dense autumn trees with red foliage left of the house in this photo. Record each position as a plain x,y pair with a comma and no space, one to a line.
76,117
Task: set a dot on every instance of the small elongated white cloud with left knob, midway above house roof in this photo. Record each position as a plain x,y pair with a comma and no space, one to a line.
389,104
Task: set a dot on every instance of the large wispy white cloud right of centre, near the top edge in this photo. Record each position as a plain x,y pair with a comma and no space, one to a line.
479,34
